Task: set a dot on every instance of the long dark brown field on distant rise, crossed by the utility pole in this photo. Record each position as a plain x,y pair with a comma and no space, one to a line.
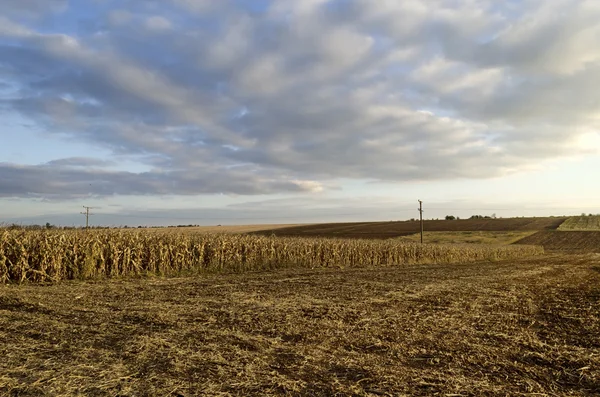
383,230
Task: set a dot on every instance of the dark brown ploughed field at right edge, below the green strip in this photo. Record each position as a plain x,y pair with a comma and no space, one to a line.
568,241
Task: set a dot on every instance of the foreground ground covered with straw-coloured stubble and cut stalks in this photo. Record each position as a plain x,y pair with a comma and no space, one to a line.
521,328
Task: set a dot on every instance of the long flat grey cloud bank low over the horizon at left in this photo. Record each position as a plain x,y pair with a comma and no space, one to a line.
61,180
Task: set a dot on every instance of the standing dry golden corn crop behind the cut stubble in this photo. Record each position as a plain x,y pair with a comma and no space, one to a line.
49,256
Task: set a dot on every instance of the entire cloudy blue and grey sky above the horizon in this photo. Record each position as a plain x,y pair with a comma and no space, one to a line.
165,112
